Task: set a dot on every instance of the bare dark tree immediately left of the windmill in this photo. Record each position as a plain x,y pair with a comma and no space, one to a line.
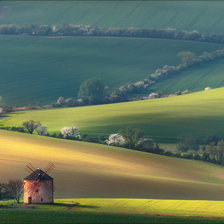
14,189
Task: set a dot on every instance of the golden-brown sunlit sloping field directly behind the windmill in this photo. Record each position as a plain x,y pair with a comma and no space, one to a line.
91,170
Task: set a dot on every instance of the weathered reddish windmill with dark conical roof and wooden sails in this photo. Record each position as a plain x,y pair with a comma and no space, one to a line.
38,185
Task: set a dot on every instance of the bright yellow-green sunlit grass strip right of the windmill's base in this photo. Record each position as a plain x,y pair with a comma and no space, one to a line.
145,206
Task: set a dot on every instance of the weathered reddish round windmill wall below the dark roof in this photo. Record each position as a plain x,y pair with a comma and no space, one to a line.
37,192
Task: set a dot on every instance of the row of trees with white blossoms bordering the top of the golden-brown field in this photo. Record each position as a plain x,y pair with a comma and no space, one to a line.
210,150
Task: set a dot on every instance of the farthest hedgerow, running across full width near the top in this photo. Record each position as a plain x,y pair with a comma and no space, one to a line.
87,30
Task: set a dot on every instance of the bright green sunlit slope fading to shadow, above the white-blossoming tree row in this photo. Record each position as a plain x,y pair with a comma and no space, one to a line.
199,114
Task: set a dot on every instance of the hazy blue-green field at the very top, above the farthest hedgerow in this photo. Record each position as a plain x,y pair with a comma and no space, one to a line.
199,15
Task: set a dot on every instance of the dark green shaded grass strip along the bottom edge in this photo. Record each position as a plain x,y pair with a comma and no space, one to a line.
63,217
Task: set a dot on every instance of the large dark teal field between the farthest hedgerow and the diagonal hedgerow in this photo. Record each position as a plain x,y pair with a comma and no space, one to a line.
39,70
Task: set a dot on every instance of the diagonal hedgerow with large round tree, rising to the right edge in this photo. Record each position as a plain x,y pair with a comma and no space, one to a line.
88,95
